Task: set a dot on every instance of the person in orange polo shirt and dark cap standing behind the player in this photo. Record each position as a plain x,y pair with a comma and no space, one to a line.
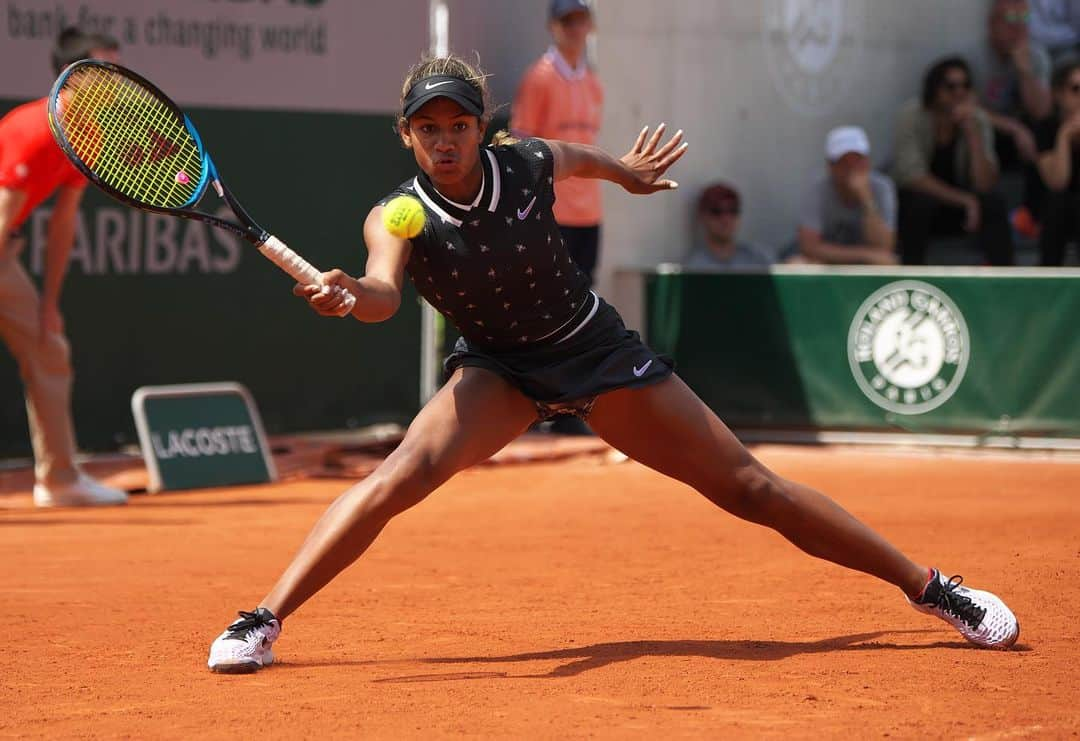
561,98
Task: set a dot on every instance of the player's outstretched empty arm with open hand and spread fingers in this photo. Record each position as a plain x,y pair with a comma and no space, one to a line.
639,171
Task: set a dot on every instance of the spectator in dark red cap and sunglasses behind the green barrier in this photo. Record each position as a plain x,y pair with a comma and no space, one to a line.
717,245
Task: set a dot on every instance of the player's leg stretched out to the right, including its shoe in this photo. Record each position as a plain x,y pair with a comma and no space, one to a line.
668,428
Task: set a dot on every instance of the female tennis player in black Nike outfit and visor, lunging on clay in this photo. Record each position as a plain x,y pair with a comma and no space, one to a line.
537,343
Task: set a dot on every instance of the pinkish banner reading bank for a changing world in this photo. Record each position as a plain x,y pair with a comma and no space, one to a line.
332,56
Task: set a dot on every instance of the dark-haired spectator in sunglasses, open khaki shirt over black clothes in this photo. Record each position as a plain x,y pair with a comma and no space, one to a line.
947,169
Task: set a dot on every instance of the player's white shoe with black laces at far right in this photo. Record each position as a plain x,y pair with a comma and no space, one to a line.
981,617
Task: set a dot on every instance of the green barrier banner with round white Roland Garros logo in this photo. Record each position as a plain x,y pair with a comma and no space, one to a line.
929,352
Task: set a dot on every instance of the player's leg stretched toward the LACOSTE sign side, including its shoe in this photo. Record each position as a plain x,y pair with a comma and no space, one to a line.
474,416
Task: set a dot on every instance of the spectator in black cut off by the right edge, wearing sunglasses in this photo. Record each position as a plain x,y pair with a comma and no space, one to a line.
1059,141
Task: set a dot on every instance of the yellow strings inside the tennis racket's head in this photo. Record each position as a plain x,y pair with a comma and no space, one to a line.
130,139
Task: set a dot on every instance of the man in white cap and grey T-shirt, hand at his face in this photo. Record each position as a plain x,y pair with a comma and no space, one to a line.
849,214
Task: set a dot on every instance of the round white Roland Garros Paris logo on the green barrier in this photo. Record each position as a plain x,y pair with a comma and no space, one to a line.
909,347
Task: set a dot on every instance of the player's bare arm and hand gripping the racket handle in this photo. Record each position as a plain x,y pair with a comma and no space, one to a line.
380,291
